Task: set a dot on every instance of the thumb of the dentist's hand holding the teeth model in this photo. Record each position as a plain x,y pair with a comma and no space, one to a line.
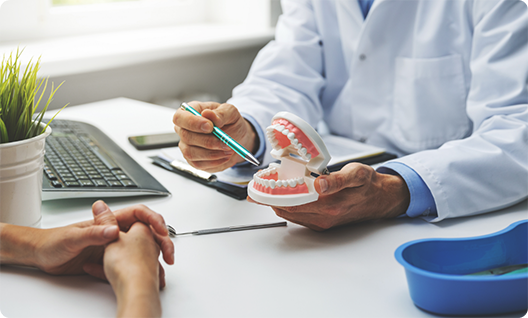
350,176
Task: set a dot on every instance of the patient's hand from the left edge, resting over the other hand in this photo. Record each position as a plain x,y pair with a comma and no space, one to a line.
79,248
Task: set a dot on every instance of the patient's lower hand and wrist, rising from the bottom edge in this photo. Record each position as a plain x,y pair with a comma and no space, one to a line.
131,266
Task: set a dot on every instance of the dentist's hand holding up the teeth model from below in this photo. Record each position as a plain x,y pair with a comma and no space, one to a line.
354,194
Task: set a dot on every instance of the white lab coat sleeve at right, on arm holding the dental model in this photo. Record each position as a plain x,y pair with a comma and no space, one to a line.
489,169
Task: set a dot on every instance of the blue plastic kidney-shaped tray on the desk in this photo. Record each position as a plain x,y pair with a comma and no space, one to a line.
437,272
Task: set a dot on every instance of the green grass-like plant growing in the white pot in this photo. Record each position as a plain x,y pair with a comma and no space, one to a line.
18,99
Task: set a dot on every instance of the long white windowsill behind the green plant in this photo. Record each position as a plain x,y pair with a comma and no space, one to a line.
88,53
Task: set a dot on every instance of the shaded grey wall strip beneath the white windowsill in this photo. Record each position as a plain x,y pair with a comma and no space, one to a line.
216,73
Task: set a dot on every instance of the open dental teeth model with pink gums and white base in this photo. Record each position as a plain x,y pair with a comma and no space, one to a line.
301,151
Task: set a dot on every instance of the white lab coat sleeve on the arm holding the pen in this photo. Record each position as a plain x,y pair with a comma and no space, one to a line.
286,74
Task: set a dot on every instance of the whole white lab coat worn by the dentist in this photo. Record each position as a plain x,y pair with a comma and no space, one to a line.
442,83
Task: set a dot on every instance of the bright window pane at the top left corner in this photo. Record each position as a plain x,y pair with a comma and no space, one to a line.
40,19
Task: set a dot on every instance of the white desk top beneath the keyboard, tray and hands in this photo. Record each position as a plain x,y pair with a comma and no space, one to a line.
278,272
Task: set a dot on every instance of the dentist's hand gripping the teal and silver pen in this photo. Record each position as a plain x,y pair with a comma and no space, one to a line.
200,147
